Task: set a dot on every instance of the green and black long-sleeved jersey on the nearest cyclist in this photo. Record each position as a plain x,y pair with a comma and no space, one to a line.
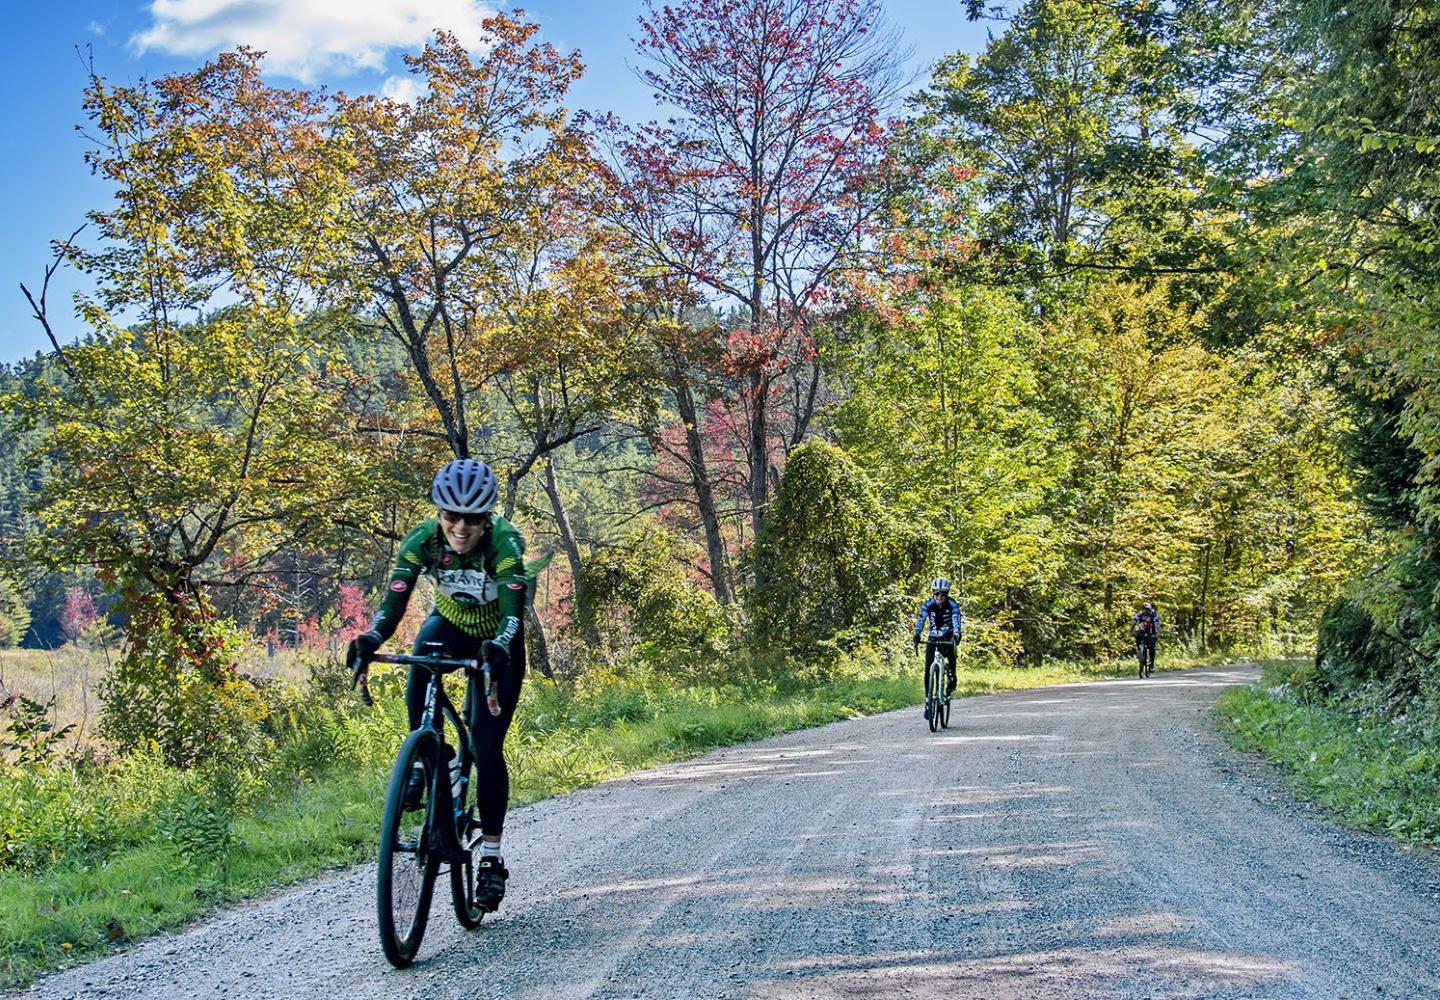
482,593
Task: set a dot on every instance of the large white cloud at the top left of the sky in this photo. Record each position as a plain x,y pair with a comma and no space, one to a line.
309,38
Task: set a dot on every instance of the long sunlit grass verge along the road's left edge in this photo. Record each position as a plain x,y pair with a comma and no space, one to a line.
325,813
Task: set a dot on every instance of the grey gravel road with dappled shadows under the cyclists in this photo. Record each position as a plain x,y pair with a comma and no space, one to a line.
1092,841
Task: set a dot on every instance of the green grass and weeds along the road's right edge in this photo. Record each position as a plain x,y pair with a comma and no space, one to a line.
1370,770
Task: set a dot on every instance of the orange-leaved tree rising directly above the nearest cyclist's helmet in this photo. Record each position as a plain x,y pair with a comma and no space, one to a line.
441,192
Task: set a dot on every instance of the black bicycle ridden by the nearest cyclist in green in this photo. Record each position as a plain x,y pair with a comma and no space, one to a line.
431,822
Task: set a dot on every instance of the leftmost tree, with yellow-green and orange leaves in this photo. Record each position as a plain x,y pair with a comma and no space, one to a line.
184,450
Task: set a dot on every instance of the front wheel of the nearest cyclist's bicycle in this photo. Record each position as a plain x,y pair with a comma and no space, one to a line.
405,862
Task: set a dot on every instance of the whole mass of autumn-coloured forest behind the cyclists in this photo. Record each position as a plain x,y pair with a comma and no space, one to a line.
1133,306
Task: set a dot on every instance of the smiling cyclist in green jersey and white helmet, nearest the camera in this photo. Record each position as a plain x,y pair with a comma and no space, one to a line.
477,563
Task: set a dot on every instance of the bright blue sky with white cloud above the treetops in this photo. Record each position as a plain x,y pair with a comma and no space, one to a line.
352,45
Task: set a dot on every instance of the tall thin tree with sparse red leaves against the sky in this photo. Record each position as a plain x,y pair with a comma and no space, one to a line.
760,192
